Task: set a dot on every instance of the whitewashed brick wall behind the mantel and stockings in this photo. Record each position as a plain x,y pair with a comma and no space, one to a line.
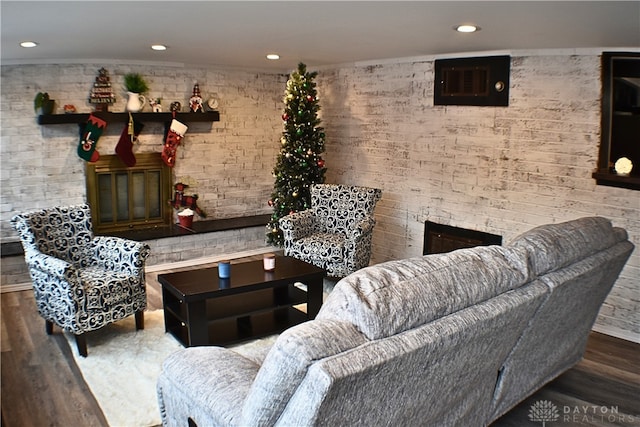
227,163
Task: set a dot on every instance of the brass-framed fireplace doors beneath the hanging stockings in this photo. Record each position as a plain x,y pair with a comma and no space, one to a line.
124,198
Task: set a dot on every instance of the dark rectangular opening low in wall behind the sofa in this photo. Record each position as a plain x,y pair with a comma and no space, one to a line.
440,238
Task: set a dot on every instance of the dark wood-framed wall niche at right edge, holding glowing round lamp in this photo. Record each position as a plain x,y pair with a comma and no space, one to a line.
620,131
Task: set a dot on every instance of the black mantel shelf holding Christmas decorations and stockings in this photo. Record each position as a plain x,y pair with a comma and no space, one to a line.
56,119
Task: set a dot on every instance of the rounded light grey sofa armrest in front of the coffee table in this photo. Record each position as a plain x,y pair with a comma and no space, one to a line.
207,384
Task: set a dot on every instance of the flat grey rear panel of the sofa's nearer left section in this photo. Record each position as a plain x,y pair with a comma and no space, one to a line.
439,374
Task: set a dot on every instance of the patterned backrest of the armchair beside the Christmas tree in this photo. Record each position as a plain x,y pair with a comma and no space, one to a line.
338,208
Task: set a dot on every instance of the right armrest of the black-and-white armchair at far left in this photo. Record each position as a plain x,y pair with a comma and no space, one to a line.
118,254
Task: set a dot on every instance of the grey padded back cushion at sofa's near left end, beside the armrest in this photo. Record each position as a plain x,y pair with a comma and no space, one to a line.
286,365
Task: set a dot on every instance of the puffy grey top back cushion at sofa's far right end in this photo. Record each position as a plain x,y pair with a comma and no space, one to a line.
554,246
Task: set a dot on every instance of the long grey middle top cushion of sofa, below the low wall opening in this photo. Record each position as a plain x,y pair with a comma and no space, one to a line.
396,296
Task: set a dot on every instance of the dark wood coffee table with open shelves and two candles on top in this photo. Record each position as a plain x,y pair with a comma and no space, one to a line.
201,309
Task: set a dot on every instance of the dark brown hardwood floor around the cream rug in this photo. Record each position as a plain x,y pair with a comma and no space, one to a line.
42,386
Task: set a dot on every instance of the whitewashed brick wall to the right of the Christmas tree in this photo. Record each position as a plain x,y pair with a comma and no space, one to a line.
502,170
